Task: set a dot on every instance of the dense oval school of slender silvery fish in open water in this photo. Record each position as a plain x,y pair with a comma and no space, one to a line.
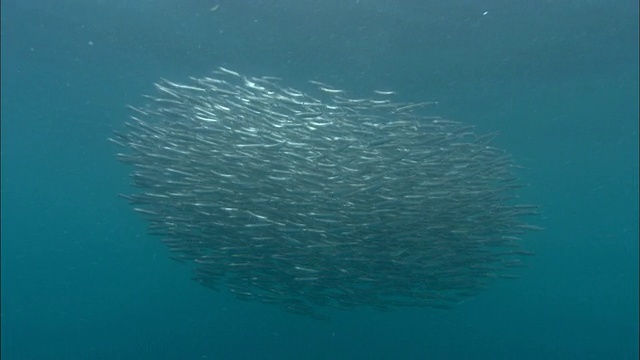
322,200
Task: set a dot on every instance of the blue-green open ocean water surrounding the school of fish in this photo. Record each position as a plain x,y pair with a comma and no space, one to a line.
81,279
